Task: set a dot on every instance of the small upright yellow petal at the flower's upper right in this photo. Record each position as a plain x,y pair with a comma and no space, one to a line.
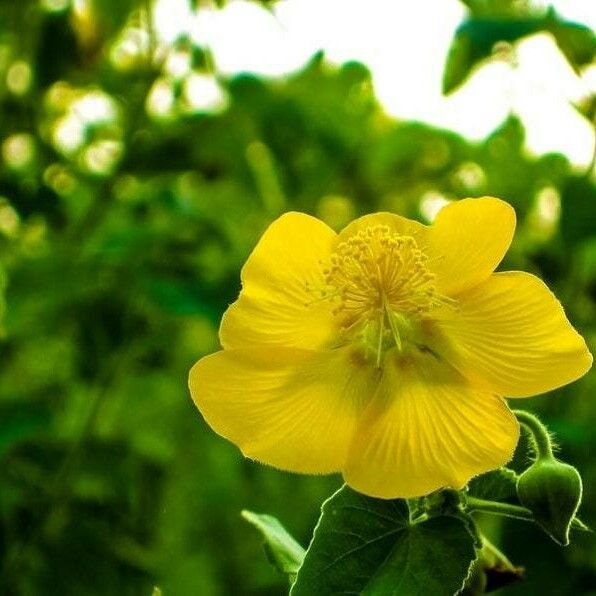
468,239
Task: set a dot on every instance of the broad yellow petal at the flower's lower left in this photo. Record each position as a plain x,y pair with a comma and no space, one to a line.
293,409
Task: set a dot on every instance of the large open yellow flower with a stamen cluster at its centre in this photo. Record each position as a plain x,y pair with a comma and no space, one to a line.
383,352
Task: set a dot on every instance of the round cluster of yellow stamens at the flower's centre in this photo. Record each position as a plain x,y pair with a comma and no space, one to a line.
382,288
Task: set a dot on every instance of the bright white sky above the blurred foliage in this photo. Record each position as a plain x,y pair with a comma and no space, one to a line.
404,45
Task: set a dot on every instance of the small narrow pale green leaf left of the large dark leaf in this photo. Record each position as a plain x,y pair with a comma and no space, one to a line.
283,551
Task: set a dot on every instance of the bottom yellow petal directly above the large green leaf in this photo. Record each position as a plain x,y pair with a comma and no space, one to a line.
427,428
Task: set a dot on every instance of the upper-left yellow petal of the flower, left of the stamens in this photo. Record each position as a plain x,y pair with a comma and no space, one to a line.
275,306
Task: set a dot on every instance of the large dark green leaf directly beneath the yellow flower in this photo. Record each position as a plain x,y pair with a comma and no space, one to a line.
369,546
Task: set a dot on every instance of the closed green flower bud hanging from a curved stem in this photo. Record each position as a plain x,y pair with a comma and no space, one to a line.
552,491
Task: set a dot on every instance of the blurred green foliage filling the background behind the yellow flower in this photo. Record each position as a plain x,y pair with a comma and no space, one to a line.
133,185
